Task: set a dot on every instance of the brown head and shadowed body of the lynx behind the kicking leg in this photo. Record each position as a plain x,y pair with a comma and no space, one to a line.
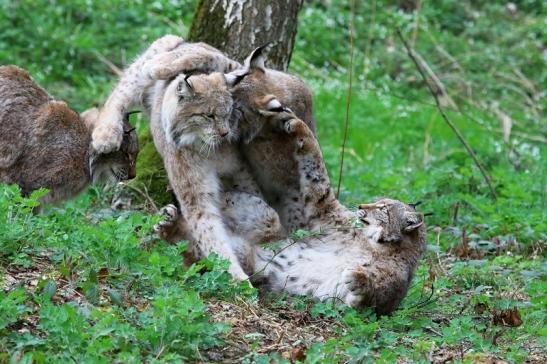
264,144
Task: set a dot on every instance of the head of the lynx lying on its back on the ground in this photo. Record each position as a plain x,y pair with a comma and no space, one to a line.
392,221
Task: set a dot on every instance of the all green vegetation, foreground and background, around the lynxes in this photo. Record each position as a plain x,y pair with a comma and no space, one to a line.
83,283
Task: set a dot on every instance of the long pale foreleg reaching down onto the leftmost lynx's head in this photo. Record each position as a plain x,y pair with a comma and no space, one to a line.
108,132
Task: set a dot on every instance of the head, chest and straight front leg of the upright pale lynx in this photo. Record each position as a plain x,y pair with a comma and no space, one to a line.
192,125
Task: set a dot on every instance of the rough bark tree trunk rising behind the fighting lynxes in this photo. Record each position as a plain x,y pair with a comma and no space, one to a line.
236,27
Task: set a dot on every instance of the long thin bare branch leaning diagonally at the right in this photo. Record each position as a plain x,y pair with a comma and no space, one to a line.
414,57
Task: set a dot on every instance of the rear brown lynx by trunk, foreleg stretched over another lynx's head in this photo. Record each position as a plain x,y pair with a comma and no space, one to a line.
259,91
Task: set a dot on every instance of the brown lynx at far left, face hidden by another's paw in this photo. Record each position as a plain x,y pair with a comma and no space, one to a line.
43,143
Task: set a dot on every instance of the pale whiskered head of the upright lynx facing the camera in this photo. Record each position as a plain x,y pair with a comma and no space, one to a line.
198,110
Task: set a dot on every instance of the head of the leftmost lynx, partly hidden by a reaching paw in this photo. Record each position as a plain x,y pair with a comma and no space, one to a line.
116,166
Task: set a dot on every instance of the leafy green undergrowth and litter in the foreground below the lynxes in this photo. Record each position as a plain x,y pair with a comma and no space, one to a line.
84,283
